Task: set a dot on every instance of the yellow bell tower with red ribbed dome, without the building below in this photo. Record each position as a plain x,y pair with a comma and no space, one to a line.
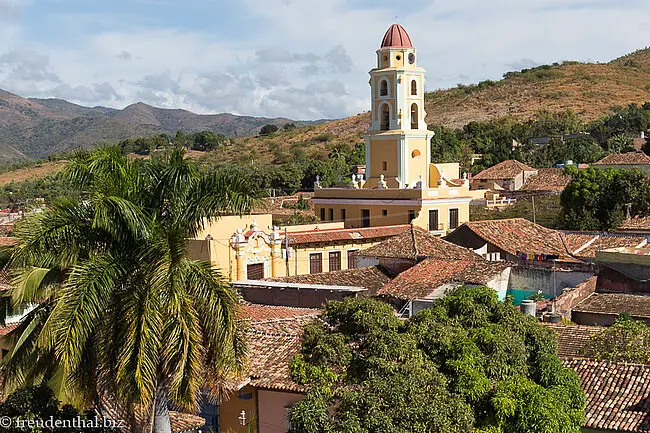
397,143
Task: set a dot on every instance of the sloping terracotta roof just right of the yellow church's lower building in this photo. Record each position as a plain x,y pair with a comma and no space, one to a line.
519,234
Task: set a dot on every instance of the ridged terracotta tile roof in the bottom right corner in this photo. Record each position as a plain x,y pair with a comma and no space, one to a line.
618,395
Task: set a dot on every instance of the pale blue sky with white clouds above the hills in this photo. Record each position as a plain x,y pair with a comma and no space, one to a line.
302,59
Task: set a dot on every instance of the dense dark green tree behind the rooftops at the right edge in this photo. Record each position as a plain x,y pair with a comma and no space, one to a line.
598,199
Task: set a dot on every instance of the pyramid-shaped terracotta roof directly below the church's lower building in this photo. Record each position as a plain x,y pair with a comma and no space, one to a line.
416,244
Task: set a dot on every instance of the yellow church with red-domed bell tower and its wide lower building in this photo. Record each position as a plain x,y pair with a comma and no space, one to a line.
402,184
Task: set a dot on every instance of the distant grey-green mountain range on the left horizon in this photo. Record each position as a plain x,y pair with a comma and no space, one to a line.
36,128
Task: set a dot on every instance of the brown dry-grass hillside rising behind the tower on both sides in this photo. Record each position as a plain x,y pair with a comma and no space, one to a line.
589,89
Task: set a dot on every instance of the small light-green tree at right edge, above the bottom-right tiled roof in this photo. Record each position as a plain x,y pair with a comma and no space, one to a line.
627,340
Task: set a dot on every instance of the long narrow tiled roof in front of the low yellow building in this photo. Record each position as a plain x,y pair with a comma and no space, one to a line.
372,278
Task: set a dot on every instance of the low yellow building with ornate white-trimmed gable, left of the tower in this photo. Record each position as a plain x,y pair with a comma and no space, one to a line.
250,247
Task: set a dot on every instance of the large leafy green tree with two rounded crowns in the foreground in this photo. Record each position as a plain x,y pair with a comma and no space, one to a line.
470,363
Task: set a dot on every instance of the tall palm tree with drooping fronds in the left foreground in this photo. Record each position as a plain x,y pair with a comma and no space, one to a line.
122,313
